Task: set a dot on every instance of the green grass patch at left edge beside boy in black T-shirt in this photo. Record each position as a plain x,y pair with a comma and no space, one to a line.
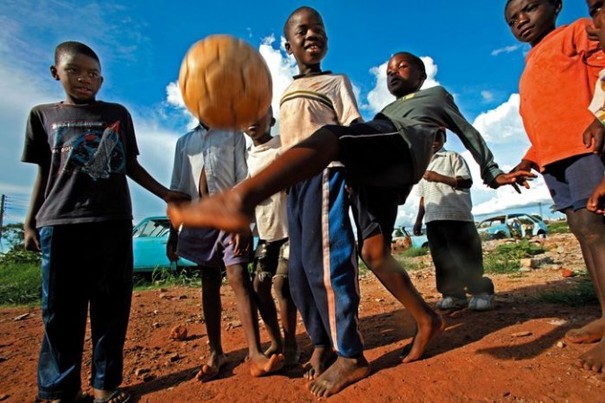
20,283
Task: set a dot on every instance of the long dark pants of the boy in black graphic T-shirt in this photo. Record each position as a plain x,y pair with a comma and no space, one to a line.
82,265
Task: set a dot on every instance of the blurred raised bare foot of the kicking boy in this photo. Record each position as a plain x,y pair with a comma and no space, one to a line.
223,210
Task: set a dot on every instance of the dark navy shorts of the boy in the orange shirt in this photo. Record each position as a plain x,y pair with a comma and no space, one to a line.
572,180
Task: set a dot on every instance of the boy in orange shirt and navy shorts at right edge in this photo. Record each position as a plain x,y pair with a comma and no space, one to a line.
556,88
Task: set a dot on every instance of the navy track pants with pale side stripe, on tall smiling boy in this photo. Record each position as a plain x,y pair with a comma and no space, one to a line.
323,266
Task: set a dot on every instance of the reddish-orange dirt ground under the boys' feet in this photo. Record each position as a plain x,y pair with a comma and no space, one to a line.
513,353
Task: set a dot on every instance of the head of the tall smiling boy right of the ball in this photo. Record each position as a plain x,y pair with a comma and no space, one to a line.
306,39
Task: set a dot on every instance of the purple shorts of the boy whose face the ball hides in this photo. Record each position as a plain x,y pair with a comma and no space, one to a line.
210,247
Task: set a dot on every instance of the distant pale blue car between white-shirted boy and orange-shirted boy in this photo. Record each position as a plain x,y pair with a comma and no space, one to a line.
515,225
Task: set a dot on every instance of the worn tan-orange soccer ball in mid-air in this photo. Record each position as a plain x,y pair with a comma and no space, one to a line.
225,82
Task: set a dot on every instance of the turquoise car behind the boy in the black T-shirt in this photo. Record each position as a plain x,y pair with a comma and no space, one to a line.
149,238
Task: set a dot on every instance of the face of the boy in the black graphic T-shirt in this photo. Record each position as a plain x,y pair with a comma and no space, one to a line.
80,76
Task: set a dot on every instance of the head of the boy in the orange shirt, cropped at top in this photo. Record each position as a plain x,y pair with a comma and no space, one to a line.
532,20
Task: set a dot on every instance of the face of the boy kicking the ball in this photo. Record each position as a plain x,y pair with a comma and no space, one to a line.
404,75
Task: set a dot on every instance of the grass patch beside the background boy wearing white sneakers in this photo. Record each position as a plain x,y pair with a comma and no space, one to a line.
505,258
